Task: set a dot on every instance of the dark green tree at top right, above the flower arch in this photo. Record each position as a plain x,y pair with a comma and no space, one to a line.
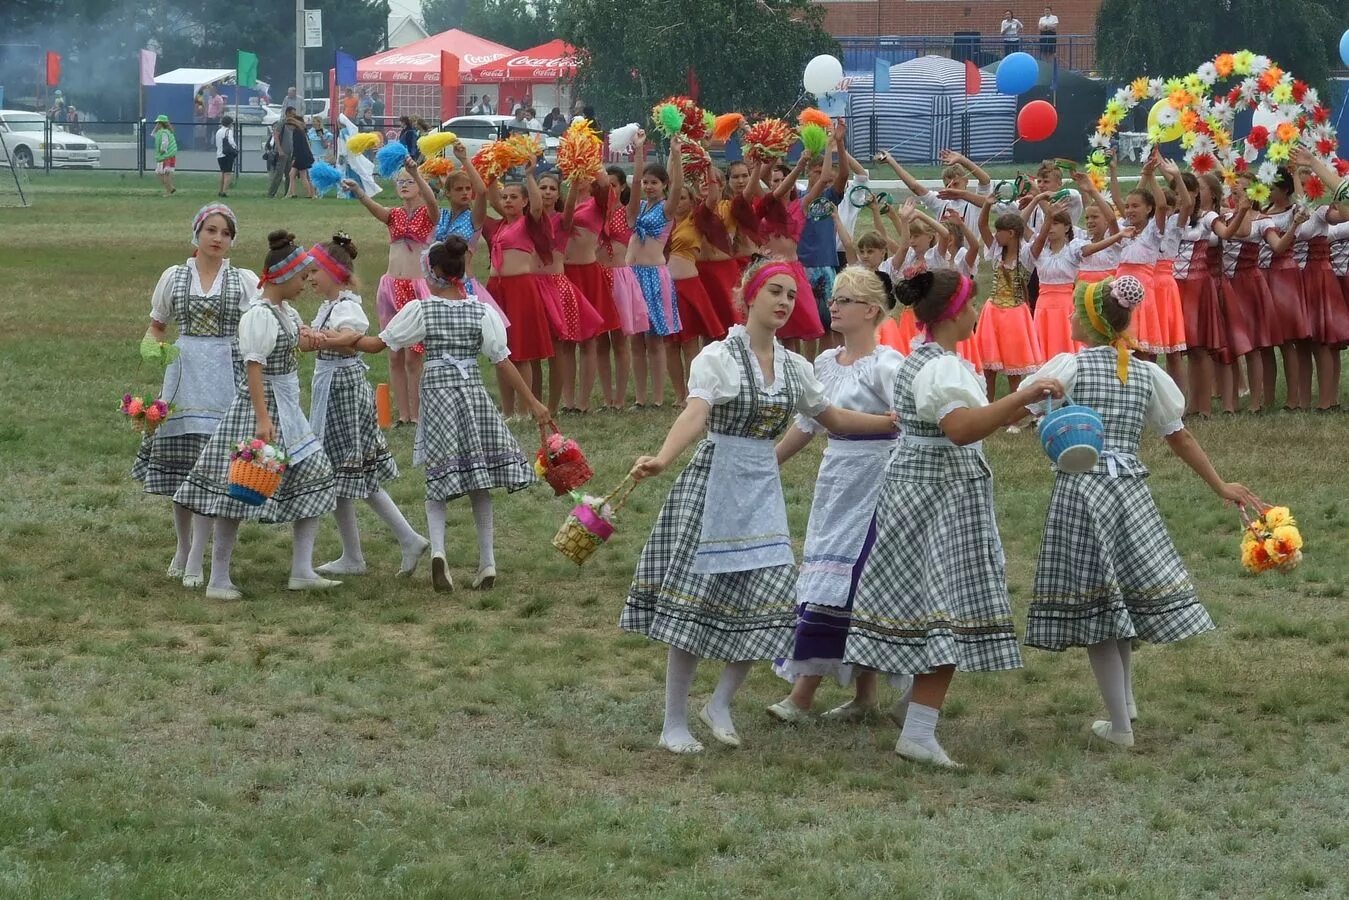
1132,40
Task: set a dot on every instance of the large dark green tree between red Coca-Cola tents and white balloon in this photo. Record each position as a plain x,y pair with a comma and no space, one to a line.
747,56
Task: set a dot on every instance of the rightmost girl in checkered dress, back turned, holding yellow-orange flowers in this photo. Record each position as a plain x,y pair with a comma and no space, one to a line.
1108,571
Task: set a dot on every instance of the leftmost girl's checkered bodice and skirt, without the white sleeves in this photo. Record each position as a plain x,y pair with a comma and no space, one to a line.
165,459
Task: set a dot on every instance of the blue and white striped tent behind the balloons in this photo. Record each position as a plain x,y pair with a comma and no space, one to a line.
927,111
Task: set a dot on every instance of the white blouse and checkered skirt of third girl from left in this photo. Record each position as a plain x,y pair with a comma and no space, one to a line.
342,407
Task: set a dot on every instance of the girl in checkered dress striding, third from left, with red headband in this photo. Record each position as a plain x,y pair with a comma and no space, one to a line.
342,412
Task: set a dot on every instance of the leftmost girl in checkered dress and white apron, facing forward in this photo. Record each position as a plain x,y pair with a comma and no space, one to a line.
203,299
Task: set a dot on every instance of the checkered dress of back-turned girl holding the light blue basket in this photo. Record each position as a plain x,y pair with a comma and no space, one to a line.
933,592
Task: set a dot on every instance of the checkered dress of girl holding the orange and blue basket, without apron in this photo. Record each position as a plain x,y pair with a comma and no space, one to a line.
307,489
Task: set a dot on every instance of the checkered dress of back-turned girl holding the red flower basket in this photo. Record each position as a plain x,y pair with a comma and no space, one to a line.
462,439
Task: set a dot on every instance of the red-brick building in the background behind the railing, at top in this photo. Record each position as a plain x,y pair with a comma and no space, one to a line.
873,18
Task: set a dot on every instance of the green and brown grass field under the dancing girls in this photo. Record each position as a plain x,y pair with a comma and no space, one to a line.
384,741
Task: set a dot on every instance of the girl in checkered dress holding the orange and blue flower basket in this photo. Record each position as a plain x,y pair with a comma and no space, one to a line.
266,405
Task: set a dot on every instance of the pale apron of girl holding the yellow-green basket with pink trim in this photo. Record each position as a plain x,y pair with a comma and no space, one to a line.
745,516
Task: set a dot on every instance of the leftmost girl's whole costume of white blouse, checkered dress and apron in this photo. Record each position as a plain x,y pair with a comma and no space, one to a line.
202,383
